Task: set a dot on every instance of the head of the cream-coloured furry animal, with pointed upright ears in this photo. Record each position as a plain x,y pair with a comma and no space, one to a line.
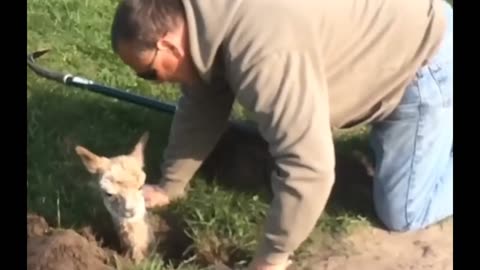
120,179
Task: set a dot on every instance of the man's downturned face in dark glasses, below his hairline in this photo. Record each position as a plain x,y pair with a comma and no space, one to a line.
159,64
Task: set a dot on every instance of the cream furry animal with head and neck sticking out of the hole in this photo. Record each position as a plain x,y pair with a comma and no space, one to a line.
120,180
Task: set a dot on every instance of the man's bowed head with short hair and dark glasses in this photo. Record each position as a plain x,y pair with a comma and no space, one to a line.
151,37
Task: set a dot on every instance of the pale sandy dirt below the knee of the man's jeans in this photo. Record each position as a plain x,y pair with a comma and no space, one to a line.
374,248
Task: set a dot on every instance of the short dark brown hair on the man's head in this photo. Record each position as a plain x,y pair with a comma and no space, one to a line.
142,22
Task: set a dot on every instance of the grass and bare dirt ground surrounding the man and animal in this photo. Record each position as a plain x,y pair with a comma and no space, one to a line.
227,200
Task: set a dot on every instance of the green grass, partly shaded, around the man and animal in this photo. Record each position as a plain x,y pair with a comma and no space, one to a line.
219,221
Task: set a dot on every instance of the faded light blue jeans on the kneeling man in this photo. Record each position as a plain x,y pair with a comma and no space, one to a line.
413,147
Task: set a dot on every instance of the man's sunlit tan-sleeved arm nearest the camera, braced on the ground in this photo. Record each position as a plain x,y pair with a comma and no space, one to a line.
289,98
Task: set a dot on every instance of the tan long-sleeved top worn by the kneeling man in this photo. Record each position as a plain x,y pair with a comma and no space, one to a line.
302,67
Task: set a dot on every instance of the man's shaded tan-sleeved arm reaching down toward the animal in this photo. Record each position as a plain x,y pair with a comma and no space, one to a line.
202,115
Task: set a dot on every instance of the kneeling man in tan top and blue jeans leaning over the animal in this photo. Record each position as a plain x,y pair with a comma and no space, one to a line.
305,68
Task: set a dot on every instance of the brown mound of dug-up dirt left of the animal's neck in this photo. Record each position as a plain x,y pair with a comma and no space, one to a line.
50,249
